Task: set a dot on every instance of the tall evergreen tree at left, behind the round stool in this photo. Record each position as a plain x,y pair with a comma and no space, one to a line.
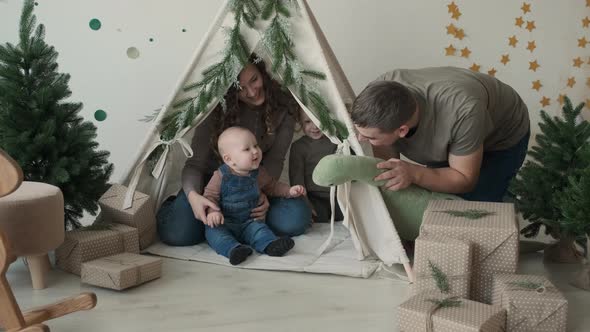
41,131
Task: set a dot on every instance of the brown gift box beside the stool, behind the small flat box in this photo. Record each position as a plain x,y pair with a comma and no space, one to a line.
82,245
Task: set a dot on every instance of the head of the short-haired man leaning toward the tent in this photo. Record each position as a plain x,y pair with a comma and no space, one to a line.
381,112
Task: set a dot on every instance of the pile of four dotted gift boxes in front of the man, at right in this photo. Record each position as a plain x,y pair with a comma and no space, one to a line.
464,264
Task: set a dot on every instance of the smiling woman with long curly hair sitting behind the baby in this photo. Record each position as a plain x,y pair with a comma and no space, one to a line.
259,104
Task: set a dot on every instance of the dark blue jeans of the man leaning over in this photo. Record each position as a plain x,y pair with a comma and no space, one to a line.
498,168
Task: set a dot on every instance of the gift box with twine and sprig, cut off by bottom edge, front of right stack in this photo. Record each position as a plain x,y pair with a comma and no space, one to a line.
419,314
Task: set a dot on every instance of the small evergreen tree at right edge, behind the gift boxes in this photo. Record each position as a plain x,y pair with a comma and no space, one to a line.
542,185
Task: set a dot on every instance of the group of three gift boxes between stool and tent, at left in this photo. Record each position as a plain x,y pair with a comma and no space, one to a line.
107,253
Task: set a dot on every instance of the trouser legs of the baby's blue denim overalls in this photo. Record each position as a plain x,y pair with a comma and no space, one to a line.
224,238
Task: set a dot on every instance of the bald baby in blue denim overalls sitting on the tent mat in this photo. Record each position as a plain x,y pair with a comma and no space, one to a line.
236,187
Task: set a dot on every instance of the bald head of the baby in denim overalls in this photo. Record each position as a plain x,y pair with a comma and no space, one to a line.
239,150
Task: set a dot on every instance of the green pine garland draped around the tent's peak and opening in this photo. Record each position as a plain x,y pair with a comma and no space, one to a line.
217,77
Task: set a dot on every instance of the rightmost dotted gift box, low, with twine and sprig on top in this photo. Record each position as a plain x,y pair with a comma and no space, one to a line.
532,303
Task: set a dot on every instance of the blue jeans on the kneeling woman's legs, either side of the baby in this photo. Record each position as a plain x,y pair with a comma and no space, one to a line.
177,225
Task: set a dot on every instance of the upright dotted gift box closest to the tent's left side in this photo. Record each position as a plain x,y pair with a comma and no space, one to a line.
140,215
